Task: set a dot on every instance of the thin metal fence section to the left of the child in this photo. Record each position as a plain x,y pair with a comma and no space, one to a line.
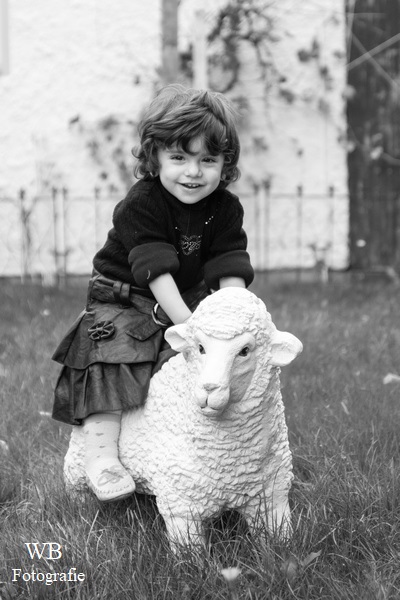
52,235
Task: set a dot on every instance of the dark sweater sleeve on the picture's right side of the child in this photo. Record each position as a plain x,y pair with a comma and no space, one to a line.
227,255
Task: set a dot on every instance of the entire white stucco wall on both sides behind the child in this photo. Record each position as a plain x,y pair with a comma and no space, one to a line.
75,63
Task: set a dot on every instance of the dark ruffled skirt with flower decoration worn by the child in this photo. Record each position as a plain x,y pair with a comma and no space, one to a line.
109,356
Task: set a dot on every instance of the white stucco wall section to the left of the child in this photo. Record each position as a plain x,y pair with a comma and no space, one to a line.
72,64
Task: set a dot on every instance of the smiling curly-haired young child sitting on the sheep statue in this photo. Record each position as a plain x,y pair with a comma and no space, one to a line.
176,237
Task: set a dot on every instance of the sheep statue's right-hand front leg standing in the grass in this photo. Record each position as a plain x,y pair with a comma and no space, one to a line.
274,512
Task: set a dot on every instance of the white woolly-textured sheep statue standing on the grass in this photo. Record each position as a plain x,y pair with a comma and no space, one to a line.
212,435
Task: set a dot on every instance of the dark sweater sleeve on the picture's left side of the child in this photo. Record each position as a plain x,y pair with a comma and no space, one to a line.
141,227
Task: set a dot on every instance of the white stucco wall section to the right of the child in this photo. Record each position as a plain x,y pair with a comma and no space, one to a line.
293,133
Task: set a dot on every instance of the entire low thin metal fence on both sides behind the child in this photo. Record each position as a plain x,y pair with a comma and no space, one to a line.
56,235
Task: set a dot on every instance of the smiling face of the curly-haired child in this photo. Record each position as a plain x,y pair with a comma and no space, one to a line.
190,177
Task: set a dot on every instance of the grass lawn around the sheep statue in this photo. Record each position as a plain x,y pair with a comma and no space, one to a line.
343,423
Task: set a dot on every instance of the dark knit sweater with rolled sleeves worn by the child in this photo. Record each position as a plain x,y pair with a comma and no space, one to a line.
154,233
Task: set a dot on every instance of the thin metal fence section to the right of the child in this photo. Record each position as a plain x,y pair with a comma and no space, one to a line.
297,230
